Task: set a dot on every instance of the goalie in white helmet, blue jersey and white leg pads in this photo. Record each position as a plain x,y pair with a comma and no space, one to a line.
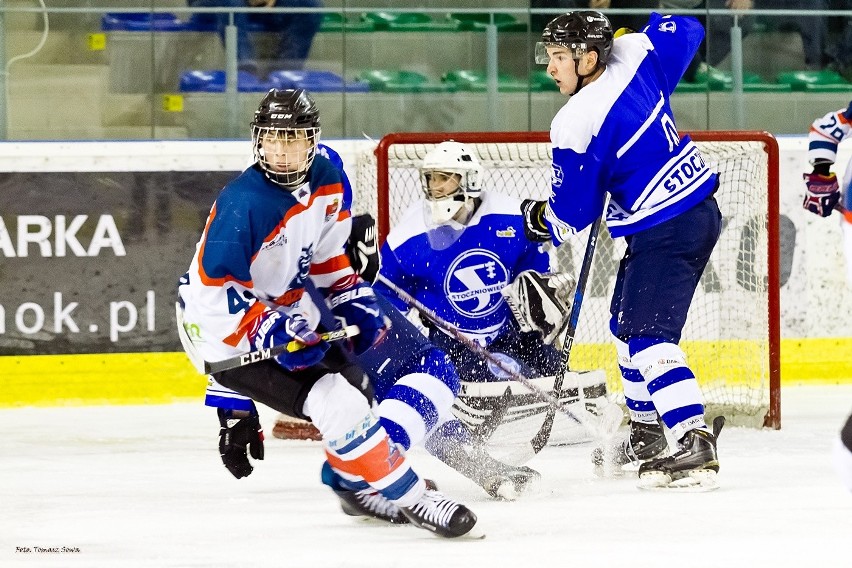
461,252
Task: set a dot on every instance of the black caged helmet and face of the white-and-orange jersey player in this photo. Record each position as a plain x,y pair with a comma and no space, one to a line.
285,133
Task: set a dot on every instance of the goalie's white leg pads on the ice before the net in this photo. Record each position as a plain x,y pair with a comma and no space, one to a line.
526,411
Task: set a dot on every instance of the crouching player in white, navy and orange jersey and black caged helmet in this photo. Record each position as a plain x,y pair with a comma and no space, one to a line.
277,228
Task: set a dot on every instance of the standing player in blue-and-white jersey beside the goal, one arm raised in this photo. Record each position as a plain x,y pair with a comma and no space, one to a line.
616,135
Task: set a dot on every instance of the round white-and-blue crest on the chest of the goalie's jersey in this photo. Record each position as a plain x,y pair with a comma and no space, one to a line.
473,283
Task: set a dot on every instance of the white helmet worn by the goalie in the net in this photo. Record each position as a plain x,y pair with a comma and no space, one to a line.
451,158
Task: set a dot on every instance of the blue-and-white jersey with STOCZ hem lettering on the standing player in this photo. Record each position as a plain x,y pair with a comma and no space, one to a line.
617,136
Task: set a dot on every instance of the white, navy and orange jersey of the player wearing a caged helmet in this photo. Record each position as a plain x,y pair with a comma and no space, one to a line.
260,245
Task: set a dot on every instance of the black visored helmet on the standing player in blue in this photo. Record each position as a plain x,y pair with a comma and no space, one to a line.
578,32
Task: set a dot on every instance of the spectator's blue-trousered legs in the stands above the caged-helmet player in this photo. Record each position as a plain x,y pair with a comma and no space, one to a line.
296,30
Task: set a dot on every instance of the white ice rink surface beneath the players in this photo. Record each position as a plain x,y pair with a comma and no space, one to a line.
144,486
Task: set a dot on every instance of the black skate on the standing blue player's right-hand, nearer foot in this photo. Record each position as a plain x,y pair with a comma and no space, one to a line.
693,467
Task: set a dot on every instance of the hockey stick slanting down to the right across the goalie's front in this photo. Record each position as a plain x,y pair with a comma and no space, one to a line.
583,417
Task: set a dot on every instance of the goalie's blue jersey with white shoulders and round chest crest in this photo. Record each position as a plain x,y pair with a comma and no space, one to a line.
461,282
